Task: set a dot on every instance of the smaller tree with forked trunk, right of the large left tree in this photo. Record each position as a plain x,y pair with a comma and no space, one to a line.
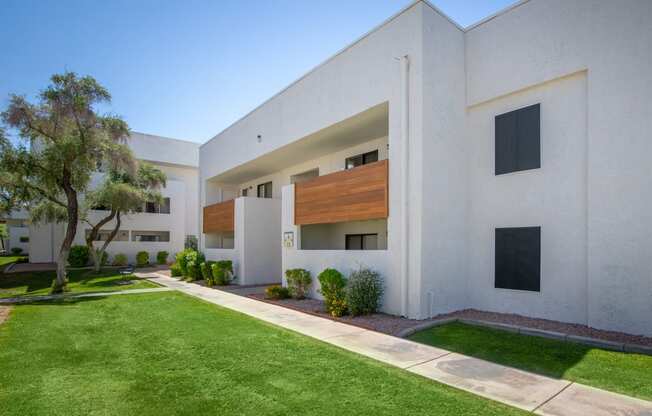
121,193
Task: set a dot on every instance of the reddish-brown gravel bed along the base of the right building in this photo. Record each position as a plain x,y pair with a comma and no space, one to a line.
395,325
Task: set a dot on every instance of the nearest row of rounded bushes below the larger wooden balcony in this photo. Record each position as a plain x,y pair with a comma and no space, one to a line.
359,294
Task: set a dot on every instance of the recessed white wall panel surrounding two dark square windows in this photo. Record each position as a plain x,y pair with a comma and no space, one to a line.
553,197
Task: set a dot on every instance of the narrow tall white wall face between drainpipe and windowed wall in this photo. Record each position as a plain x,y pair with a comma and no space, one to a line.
438,185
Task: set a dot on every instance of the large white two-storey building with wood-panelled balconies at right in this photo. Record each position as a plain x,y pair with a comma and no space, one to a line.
502,167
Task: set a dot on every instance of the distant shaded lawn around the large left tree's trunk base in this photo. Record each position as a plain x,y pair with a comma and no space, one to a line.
39,283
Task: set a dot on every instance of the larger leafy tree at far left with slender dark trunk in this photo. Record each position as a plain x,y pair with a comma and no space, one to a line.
62,140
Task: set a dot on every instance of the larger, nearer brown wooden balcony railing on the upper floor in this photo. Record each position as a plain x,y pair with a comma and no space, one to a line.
356,194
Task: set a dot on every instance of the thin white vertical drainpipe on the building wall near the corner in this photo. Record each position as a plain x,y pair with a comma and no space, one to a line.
405,178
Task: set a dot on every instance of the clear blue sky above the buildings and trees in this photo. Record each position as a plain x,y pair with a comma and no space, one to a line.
188,69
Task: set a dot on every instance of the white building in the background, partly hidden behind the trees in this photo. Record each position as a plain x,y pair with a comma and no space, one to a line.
162,227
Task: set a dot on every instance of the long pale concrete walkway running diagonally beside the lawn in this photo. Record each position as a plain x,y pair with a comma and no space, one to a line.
528,391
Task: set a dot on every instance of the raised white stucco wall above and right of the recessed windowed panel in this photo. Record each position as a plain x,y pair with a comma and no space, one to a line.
540,41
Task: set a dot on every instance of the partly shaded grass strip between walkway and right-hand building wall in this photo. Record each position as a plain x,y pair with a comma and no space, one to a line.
629,374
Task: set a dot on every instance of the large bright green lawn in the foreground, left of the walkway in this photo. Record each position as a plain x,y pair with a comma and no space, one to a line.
170,354
